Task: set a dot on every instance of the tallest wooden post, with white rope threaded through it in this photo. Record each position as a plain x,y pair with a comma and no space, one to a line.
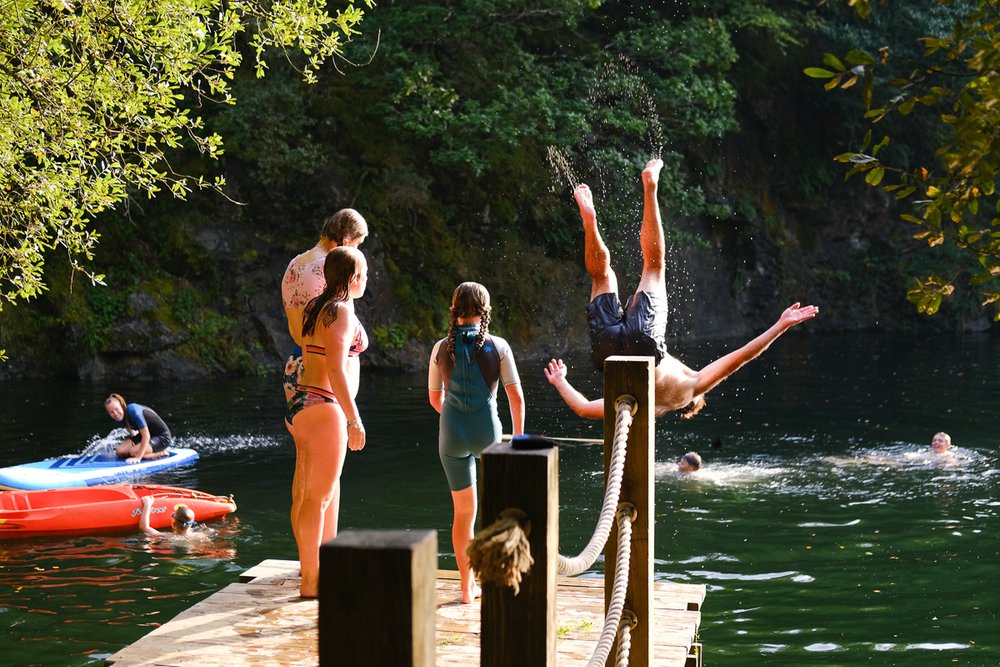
633,376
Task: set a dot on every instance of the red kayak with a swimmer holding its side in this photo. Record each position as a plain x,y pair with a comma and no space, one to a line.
111,508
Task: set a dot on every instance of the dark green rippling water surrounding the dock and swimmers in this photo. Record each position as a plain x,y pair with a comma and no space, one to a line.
824,532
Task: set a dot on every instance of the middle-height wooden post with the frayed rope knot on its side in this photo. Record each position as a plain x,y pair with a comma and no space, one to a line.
520,630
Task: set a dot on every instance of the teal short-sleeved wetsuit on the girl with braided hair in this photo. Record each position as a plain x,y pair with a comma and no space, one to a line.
469,420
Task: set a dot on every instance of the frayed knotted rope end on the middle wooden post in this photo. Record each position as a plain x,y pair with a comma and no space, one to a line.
500,553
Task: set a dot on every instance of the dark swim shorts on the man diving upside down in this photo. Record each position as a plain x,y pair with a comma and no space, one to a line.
640,329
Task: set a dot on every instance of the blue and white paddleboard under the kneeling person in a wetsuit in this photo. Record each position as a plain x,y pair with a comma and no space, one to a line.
105,468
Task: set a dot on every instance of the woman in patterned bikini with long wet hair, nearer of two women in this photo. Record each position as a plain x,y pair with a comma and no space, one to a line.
322,414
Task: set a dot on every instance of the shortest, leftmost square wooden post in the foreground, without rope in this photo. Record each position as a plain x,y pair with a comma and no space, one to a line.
376,598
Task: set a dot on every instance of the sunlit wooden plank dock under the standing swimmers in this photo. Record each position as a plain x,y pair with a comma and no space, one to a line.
262,621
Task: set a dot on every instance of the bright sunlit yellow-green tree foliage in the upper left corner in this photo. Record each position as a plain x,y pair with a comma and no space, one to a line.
95,97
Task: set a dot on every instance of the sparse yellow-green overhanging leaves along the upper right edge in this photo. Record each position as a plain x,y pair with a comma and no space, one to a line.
955,80
